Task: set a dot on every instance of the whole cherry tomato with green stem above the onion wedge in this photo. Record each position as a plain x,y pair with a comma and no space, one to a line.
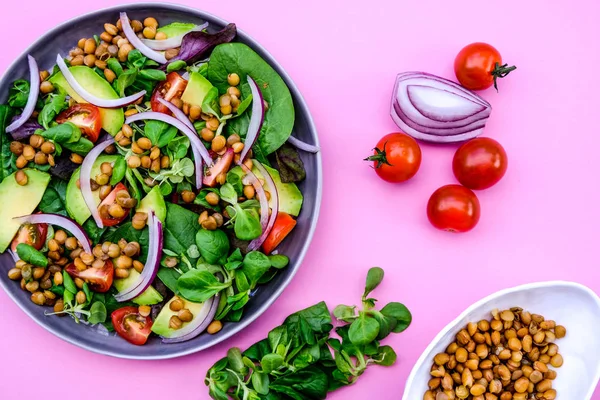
479,65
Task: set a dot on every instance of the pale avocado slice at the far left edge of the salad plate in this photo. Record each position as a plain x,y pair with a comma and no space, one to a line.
17,200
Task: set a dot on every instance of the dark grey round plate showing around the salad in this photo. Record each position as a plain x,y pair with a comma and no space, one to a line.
62,39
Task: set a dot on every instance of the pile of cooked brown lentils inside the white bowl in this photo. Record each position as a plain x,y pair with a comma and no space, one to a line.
505,358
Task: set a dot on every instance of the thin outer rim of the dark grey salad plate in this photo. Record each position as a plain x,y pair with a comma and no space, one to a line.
301,104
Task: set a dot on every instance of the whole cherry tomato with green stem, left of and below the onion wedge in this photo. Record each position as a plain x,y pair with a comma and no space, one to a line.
396,158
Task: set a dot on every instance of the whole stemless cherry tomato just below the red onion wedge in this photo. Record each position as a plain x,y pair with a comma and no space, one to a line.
479,163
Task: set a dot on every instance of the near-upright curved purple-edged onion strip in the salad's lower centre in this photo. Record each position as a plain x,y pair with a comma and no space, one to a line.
155,244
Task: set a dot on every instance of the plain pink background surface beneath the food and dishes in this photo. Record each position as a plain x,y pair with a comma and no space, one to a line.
539,223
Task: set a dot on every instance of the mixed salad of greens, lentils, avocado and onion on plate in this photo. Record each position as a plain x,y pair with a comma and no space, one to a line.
148,178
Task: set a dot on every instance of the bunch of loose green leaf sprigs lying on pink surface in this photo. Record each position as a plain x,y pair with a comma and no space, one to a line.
301,360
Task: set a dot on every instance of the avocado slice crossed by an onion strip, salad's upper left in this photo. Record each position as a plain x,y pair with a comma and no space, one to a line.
113,118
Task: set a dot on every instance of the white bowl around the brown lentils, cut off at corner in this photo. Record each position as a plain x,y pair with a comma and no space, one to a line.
570,304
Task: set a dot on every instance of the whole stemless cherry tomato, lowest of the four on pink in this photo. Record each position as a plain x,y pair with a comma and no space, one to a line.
453,208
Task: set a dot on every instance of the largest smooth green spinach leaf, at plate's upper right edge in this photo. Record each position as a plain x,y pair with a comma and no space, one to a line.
279,117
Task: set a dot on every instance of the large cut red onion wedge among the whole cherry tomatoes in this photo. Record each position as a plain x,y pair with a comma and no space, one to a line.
434,109
